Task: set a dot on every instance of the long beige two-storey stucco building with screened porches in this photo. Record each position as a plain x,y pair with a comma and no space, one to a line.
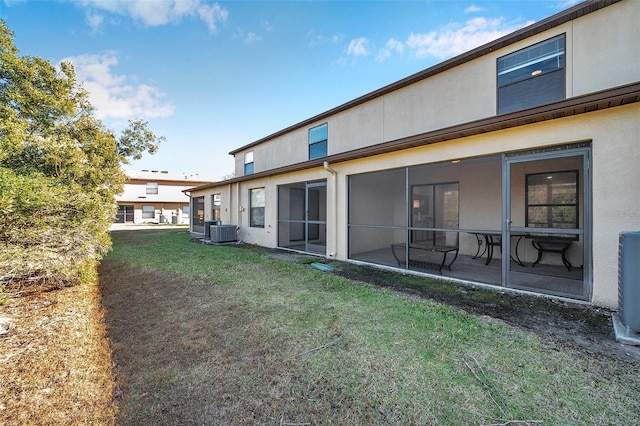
528,145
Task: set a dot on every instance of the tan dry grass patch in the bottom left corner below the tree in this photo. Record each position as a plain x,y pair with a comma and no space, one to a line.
55,364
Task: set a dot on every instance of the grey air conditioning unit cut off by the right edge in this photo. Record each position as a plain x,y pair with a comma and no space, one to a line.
627,322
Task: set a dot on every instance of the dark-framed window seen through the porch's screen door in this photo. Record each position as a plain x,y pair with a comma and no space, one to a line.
552,200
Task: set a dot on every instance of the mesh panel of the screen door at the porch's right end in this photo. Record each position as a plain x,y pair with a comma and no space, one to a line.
547,207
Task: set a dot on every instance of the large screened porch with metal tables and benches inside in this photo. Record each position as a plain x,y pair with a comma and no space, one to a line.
456,219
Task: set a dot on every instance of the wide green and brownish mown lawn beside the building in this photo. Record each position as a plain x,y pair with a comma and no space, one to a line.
226,335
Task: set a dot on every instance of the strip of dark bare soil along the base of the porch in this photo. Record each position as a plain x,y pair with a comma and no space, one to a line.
586,328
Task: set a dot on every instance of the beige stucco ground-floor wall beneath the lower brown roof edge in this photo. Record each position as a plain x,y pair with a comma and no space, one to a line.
615,184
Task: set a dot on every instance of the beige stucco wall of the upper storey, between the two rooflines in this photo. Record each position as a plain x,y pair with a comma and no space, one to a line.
599,55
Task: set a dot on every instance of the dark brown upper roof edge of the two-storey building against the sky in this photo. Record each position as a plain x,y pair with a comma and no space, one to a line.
570,14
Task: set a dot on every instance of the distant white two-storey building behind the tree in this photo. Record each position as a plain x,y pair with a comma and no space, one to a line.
152,196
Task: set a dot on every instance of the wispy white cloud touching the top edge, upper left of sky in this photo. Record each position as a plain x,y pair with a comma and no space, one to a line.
158,12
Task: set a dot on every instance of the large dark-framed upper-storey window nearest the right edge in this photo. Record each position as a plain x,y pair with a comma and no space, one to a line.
540,81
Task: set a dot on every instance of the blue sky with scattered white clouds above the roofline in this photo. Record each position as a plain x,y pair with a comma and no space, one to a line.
212,77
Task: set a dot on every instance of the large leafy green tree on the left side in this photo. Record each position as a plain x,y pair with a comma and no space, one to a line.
60,169
